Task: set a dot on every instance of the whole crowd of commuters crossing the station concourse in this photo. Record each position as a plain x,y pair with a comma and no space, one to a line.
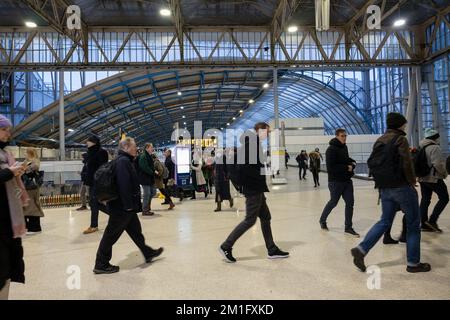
20,209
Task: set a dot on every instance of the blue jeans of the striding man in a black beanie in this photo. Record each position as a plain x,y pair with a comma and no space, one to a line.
406,198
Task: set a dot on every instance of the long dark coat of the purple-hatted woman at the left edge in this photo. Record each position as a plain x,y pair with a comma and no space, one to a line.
12,265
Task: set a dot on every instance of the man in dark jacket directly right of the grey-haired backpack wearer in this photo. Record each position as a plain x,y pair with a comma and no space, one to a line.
146,171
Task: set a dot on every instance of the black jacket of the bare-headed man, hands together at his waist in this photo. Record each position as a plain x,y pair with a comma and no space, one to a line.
338,161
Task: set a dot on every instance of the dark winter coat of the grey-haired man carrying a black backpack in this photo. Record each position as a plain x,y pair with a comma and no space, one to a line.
127,181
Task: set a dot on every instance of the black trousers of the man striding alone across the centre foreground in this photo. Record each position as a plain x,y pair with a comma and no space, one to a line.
255,206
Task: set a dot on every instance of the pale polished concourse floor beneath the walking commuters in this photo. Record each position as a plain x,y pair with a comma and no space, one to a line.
320,266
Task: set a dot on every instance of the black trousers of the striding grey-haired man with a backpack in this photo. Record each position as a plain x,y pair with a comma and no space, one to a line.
117,224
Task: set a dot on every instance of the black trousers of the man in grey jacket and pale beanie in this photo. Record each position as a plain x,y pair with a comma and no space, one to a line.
427,189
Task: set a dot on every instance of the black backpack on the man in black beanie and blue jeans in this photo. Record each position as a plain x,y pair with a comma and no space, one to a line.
384,163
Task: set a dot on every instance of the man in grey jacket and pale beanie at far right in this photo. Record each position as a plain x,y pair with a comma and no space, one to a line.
433,182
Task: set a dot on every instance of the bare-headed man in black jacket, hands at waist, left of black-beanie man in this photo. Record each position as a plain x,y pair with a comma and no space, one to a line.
340,169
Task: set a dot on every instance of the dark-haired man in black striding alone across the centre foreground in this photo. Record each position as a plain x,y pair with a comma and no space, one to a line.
253,187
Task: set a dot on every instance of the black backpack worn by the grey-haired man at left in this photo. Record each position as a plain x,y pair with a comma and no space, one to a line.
105,182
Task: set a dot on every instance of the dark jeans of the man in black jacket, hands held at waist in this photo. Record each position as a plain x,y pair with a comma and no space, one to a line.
338,190
